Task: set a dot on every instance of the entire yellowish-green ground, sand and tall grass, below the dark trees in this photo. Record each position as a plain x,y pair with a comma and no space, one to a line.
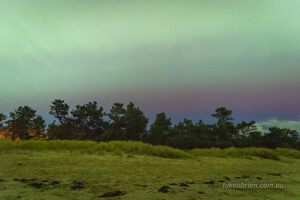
119,170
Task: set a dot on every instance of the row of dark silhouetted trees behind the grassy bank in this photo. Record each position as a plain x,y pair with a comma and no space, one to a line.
90,122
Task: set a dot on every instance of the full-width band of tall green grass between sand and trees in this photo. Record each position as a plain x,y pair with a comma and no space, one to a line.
139,148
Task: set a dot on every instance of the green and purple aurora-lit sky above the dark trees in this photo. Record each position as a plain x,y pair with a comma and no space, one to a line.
185,58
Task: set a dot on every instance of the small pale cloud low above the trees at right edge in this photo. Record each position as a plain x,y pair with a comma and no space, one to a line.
265,125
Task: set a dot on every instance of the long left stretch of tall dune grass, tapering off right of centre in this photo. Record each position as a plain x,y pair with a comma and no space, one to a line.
116,147
